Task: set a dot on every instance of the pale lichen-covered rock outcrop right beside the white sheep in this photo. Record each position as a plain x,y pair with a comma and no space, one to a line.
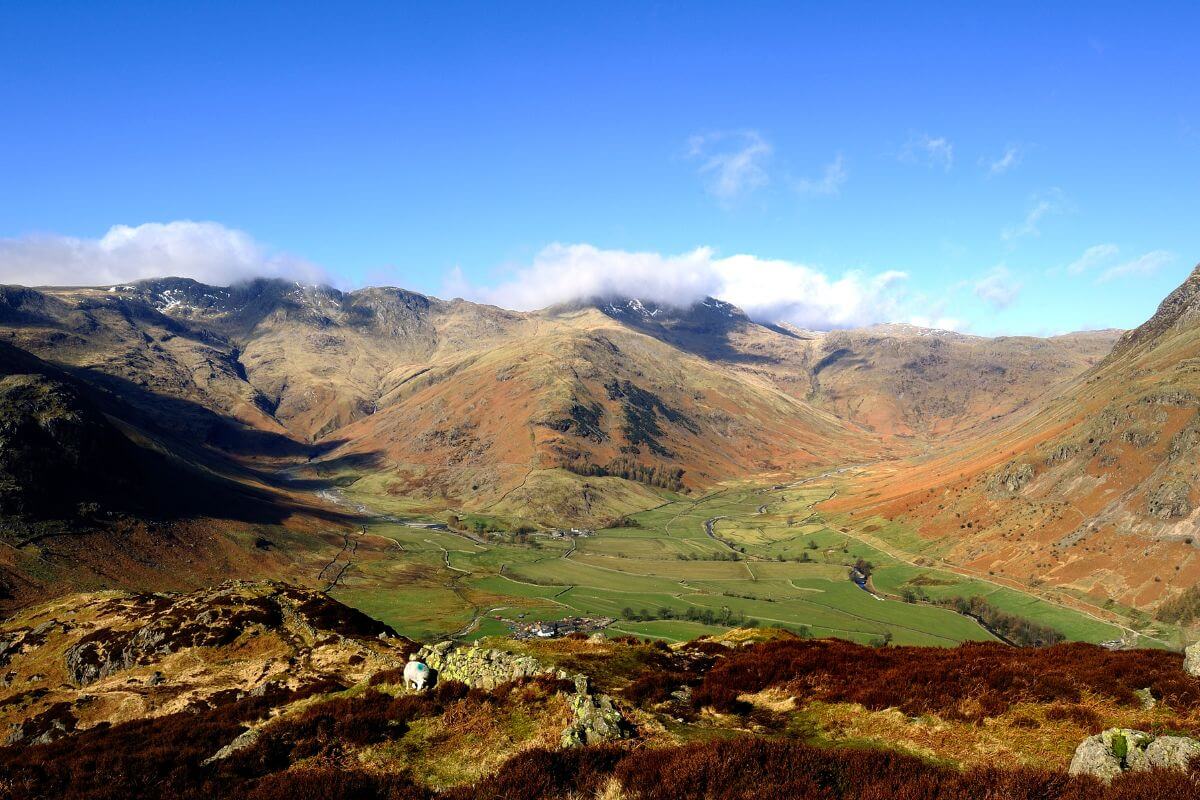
597,718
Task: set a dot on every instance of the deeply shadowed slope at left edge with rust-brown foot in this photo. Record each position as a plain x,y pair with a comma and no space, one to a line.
93,495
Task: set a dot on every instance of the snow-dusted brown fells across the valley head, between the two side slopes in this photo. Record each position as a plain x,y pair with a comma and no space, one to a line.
466,405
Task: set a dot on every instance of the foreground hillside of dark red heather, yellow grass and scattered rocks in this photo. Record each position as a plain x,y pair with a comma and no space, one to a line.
267,691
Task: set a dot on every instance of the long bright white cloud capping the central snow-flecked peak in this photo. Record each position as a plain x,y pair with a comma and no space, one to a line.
771,291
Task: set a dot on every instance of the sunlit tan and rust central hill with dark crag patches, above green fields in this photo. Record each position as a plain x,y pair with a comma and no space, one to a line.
598,399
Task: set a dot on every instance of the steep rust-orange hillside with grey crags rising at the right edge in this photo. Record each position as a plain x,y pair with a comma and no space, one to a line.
1094,492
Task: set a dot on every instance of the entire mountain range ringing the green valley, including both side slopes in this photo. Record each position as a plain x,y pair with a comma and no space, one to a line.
1060,458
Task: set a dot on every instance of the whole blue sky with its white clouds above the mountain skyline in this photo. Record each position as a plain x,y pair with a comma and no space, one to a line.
1000,170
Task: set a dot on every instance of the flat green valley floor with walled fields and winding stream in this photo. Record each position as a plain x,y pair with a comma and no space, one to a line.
773,561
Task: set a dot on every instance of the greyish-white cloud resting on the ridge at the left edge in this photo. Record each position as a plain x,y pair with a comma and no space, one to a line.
206,251
